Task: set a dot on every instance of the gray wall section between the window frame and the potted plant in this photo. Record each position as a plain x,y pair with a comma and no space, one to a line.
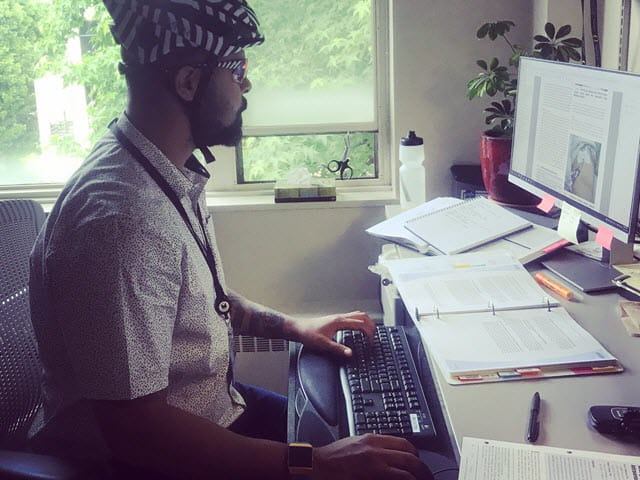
435,52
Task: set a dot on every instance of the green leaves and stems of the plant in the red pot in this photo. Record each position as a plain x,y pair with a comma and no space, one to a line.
496,78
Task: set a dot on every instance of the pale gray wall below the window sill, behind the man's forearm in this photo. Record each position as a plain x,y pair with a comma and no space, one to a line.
288,257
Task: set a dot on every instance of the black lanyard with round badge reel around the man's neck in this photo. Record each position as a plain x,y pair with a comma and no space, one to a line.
222,304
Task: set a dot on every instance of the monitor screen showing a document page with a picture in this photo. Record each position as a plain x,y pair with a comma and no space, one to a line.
577,138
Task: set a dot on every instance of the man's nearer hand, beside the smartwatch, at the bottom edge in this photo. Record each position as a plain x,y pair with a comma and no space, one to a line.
369,457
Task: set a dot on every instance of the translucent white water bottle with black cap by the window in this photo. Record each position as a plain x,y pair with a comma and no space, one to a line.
412,175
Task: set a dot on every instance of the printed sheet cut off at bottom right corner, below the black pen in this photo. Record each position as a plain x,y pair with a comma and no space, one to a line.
493,460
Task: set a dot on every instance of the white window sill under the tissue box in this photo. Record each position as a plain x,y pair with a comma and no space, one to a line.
228,201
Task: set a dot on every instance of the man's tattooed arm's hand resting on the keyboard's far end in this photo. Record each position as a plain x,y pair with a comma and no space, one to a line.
318,333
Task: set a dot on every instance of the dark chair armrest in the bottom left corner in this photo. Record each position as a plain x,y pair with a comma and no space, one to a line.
28,466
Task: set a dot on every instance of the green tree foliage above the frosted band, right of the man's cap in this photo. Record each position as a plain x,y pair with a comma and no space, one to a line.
316,43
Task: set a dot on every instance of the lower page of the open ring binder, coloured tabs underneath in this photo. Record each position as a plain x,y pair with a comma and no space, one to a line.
490,345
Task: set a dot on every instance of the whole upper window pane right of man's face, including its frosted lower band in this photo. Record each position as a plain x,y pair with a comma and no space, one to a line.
315,73
